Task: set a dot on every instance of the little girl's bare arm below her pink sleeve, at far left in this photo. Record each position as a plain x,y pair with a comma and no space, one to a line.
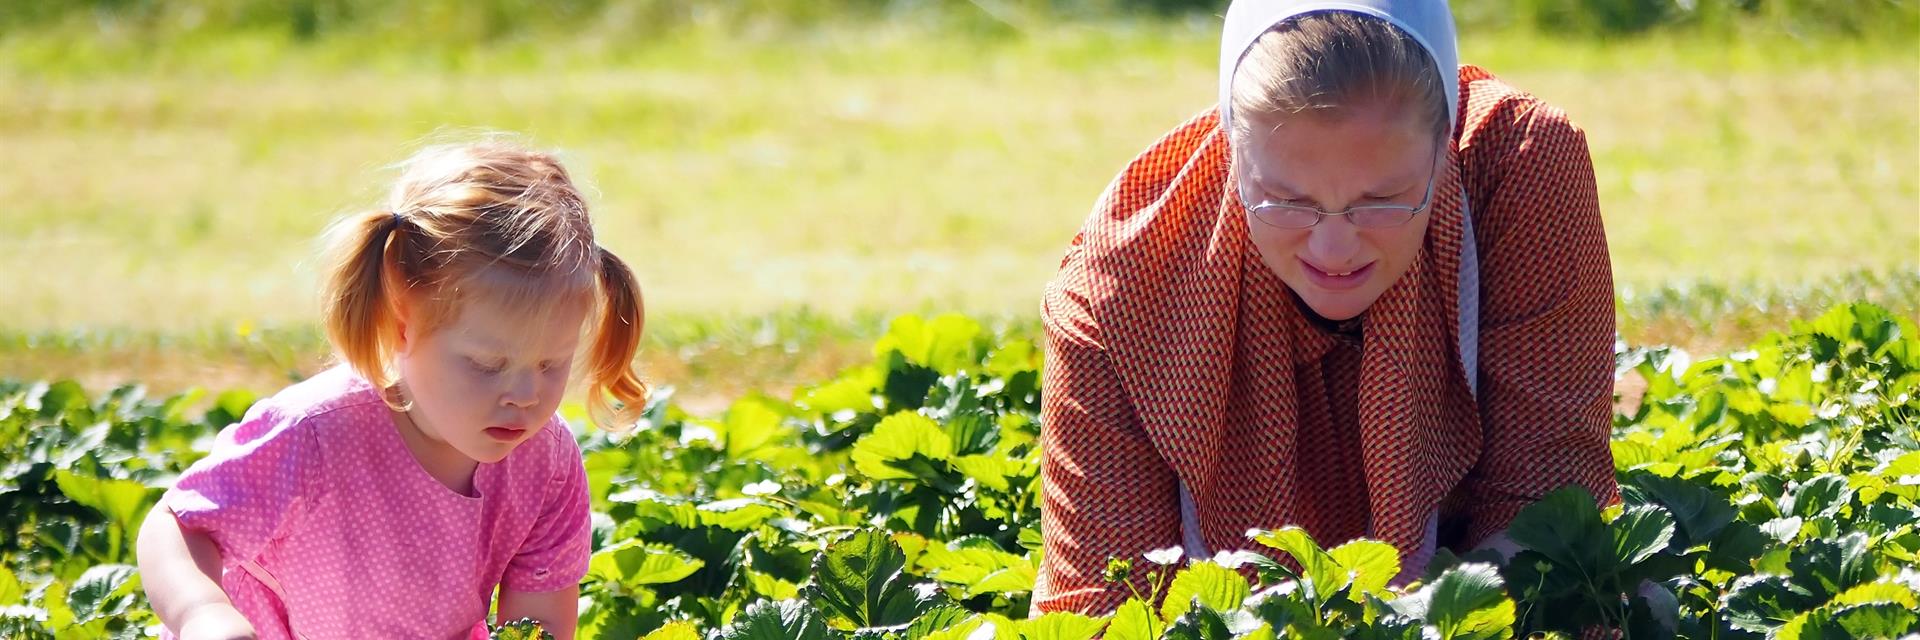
181,574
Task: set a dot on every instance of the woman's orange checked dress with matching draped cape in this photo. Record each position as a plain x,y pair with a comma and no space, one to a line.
1180,362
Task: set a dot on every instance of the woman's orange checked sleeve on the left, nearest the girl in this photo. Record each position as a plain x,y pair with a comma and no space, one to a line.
1105,491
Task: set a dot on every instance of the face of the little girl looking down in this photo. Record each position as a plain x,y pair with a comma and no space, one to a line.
487,382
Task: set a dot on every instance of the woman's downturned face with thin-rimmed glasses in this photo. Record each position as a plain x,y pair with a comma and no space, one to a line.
1362,157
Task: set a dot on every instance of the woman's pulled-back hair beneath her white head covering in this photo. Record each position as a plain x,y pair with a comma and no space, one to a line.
1328,62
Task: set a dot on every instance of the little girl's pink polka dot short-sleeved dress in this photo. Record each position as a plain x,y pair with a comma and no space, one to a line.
331,529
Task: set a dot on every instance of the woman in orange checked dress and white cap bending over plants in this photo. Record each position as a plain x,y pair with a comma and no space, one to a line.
1368,295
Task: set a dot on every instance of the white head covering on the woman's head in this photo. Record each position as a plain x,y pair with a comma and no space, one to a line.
1429,22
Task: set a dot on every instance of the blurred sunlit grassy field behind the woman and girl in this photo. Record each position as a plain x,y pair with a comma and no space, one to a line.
784,174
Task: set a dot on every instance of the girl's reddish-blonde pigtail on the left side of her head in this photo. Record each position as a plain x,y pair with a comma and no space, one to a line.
364,278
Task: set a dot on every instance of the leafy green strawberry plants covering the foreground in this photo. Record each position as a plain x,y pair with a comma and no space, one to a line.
1771,493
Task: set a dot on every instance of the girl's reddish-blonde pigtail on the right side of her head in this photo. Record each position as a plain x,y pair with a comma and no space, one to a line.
610,368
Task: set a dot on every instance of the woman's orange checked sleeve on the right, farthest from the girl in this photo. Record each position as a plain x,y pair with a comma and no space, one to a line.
1547,307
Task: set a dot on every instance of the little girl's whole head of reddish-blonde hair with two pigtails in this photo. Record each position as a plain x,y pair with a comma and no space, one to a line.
483,222
